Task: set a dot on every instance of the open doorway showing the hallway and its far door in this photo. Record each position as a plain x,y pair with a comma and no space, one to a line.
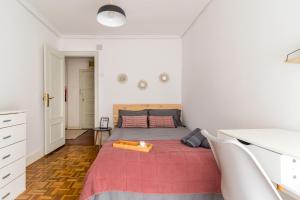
79,100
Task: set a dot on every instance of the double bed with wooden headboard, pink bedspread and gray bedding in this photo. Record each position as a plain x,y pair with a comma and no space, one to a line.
171,171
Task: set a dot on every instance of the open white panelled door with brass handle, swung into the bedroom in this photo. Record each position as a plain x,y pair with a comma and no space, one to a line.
54,89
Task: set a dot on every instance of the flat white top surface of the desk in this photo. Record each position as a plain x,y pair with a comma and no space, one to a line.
280,141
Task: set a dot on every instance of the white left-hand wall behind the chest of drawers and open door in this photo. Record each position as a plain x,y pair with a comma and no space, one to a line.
21,68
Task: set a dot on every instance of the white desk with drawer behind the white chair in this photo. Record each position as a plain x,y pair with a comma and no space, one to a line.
278,151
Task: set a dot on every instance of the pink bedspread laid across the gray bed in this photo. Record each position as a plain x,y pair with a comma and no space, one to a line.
170,168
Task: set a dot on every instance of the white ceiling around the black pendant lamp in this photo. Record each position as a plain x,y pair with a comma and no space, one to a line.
144,17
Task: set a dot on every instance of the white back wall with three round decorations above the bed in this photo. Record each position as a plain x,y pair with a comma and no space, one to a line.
139,59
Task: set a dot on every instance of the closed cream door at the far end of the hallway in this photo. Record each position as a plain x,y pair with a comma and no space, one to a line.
87,98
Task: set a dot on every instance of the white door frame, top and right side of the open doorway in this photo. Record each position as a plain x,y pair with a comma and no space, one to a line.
93,54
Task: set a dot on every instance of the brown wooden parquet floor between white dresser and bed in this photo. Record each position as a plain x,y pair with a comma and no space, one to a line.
59,176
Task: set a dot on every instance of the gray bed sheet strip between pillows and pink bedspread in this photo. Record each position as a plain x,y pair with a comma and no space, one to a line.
148,133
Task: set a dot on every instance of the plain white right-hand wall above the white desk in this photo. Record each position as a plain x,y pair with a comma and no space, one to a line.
234,75
